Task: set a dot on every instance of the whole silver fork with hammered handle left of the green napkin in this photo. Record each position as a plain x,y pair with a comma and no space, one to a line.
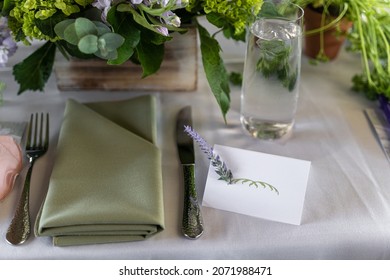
37,143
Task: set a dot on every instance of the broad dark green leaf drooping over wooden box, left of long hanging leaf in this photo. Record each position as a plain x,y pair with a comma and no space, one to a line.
150,63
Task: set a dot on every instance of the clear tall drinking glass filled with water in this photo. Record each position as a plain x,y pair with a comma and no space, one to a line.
272,70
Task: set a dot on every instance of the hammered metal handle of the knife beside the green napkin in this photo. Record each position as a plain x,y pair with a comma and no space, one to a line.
192,225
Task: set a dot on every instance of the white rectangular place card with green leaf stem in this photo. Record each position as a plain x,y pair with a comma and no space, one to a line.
265,186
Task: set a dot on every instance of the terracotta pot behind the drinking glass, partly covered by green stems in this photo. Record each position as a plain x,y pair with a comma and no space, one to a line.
333,40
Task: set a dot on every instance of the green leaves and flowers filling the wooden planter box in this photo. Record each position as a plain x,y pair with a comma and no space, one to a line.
122,30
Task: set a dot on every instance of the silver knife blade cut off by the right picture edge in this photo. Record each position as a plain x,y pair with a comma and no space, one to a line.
382,129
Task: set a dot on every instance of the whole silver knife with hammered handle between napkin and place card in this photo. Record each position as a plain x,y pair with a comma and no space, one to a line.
192,224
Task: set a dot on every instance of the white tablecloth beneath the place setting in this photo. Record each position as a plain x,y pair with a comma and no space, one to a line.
346,214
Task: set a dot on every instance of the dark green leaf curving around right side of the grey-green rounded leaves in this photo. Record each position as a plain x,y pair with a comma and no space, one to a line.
123,24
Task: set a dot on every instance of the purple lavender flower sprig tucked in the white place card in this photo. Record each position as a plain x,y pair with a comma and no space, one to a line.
215,160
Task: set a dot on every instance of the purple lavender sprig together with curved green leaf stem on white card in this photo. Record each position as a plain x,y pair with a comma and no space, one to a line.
220,167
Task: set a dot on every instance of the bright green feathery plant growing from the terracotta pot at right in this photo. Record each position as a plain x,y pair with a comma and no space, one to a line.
369,36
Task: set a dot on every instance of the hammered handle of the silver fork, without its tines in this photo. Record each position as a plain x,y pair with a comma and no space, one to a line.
20,228
